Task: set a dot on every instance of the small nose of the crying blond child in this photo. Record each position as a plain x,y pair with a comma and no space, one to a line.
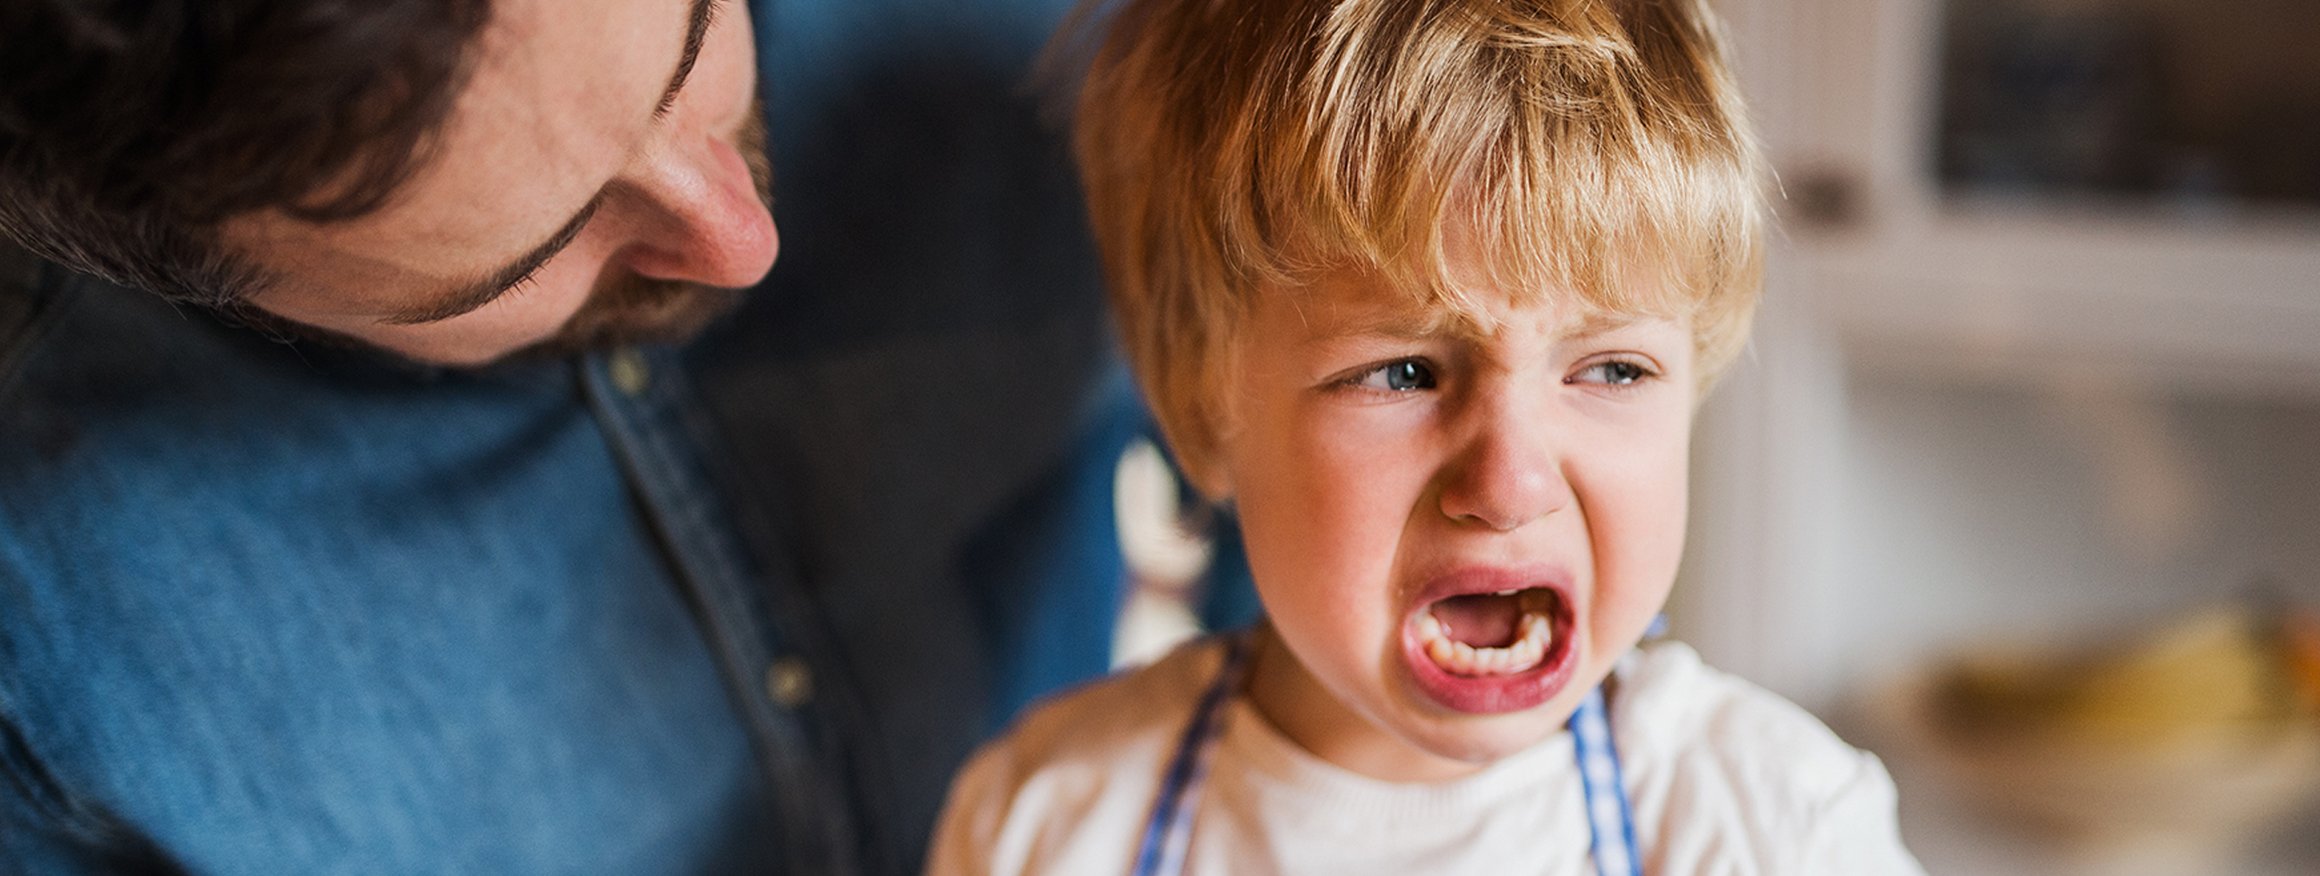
1507,469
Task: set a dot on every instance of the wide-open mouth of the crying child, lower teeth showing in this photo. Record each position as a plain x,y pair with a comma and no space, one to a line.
1491,641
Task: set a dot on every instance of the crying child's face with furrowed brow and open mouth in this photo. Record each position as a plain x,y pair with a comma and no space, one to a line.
1393,476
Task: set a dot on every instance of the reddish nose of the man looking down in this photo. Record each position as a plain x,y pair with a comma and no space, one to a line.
702,217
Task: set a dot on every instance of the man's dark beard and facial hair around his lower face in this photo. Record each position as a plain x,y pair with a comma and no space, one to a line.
628,309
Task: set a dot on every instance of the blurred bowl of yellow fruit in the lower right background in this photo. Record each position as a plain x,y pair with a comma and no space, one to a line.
2187,738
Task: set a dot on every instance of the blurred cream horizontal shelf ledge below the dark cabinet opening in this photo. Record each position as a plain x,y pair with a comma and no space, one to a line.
1992,293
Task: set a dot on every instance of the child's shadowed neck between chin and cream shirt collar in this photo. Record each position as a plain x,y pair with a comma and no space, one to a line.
1317,722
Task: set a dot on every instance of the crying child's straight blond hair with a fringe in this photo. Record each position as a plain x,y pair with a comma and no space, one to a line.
1242,145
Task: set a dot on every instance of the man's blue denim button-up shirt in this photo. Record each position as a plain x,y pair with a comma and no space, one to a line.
732,608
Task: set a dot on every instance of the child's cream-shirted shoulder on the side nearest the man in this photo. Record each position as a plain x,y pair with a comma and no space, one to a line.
1071,782
